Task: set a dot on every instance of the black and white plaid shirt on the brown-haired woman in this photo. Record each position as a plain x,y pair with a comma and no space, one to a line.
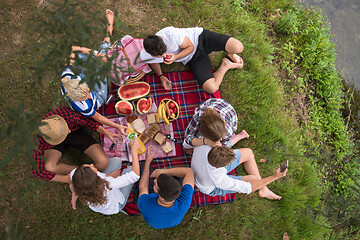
226,112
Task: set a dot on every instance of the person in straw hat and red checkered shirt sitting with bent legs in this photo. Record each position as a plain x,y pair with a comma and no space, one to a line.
63,128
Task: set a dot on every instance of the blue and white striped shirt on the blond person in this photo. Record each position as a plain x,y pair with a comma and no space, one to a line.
87,107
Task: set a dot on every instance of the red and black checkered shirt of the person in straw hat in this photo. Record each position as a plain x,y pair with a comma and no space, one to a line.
75,121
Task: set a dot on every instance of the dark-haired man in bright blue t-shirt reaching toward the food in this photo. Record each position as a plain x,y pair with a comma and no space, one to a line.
168,205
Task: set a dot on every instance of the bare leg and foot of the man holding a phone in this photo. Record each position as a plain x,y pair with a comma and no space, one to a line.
248,159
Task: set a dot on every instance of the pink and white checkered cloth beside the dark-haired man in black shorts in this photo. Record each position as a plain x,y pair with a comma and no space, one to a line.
132,46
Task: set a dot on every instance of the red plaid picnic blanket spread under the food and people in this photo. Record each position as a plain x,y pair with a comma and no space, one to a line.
188,94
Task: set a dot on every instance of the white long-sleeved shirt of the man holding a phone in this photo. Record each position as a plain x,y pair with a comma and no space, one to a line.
208,177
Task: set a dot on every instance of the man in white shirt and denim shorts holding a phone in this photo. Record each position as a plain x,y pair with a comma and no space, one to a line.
212,165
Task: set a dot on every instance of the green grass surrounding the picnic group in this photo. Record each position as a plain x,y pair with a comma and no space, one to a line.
260,93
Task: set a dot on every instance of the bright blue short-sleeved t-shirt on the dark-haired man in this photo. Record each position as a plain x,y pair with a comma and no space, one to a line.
158,216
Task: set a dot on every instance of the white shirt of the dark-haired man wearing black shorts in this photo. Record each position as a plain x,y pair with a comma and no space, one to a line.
173,38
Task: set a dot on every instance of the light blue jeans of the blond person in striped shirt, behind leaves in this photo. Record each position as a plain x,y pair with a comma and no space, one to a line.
100,90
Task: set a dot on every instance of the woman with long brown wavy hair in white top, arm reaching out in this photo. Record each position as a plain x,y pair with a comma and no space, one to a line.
105,193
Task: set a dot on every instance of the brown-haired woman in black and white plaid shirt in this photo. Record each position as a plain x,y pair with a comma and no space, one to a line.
214,123
